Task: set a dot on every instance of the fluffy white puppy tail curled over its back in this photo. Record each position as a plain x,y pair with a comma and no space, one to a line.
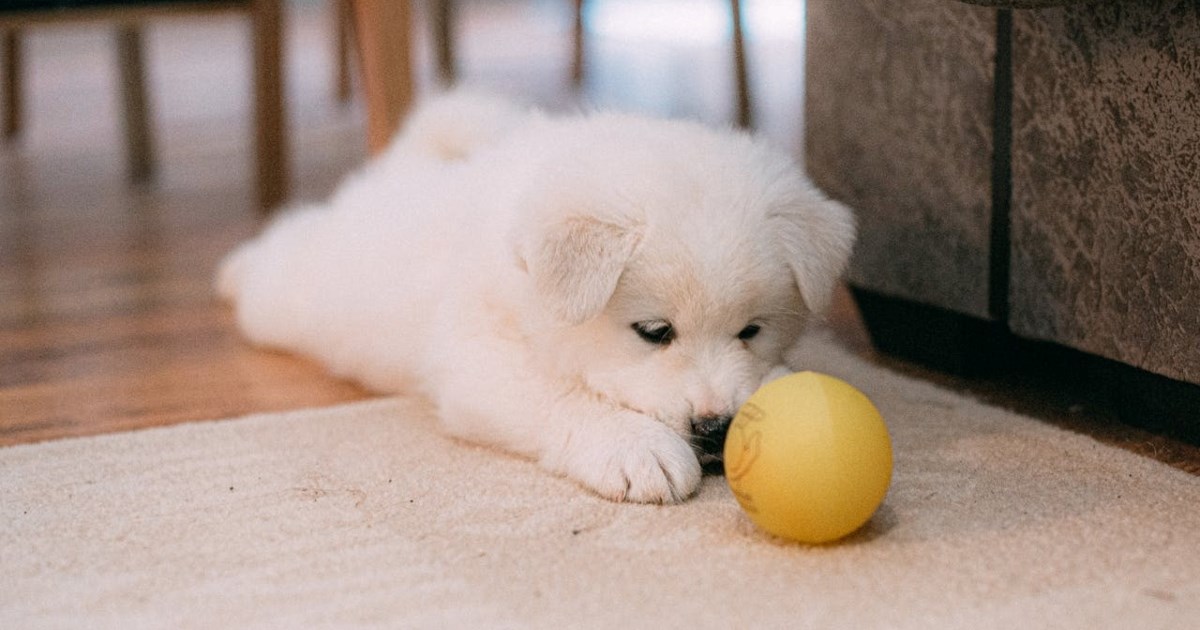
455,125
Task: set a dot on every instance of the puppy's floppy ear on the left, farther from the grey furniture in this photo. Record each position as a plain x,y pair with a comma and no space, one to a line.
577,263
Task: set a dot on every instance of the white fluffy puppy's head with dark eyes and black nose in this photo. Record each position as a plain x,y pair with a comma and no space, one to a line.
676,266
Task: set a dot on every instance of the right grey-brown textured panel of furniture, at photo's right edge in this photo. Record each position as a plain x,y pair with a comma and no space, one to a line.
1107,182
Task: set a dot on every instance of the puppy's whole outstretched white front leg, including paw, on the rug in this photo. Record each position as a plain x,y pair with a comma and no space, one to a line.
621,454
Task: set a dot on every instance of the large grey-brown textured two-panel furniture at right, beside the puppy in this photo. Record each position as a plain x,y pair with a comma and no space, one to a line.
1021,175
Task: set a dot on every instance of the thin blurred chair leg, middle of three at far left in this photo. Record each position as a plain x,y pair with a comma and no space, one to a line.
139,137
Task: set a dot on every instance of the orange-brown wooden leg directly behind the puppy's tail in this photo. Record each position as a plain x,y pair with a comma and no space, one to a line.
385,39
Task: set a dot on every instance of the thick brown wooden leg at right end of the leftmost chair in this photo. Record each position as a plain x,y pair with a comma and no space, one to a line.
271,137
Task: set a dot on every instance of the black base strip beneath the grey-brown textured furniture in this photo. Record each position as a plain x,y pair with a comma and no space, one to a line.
974,349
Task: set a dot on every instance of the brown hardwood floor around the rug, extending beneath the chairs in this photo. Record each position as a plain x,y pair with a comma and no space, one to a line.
107,316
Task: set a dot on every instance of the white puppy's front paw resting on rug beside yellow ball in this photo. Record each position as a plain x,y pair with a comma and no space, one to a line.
633,459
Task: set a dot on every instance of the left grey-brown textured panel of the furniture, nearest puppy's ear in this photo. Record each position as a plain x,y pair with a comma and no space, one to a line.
899,110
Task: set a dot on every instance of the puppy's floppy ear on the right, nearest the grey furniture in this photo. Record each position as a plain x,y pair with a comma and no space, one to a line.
818,236
